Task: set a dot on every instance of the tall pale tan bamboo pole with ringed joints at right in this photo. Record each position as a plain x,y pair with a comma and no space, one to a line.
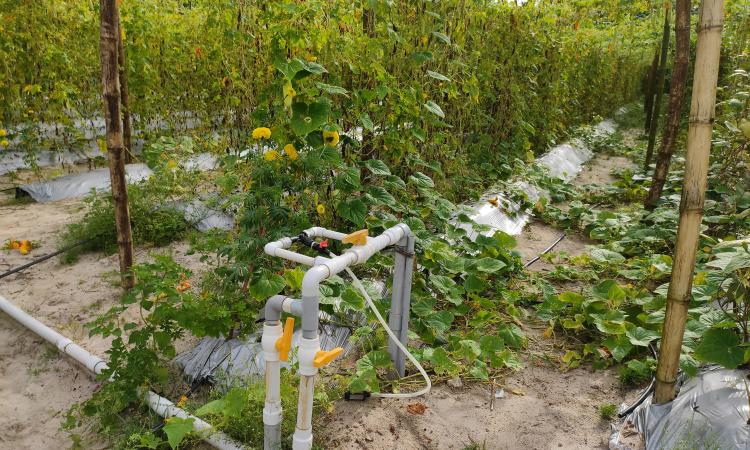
693,192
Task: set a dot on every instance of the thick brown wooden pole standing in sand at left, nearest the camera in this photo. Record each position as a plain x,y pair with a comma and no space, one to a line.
108,38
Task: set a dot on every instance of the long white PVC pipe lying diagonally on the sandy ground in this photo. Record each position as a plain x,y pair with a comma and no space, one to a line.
158,404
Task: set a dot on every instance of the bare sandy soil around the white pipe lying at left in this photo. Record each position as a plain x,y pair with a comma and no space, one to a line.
37,384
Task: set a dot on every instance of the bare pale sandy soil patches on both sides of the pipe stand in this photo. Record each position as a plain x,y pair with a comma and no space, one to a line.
543,407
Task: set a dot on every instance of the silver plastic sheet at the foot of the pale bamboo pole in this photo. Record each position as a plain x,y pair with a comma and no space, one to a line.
710,411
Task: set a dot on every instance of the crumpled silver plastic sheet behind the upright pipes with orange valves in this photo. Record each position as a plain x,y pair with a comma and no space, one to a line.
231,362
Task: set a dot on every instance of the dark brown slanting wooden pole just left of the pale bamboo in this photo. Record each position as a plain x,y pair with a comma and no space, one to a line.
676,97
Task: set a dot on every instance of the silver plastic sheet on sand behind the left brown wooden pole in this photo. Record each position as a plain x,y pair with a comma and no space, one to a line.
81,184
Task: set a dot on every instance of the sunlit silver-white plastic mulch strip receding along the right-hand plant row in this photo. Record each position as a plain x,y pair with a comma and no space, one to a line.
495,211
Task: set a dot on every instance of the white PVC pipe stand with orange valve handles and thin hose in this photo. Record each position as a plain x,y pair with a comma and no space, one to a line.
277,340
